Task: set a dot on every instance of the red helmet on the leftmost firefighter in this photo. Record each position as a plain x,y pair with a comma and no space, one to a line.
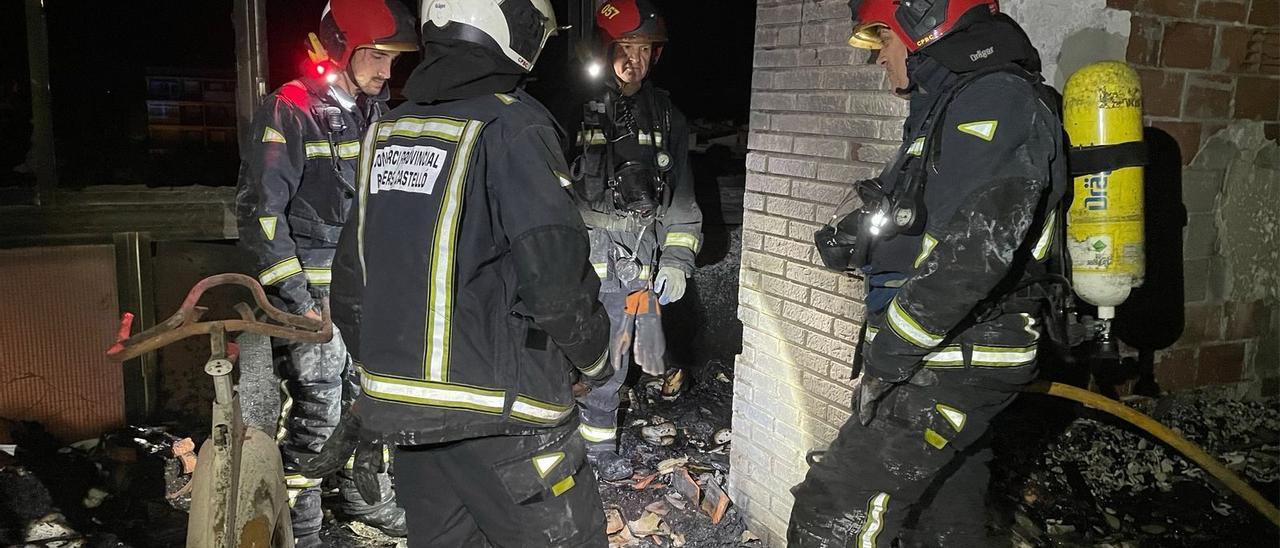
348,26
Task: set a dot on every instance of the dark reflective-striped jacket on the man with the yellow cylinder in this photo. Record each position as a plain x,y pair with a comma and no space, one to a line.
993,199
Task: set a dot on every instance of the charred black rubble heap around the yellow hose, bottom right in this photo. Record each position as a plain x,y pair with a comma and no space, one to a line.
1104,483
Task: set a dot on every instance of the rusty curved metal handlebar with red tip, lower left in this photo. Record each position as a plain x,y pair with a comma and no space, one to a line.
186,322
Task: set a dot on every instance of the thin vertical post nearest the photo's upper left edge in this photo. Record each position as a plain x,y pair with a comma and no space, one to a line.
42,104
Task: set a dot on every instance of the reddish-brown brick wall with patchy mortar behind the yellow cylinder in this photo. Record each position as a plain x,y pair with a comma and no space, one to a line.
1205,66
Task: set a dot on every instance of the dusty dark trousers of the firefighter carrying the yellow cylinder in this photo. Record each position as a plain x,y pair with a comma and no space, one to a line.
917,474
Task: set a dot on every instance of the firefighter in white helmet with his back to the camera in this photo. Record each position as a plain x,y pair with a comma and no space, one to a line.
467,295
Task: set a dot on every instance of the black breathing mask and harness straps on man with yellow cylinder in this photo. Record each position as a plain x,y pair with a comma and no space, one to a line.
845,244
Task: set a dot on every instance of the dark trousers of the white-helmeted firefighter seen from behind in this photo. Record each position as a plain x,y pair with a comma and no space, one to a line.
506,492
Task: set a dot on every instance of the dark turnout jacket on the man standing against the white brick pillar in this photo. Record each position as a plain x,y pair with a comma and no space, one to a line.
678,230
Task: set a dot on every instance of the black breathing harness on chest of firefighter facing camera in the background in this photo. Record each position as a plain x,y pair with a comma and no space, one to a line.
629,188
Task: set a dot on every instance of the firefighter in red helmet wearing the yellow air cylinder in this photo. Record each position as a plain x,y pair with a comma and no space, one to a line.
954,239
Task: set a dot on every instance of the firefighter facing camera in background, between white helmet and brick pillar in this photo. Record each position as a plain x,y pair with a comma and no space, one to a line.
636,190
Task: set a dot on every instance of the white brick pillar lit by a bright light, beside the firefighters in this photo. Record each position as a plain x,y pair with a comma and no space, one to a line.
821,118
